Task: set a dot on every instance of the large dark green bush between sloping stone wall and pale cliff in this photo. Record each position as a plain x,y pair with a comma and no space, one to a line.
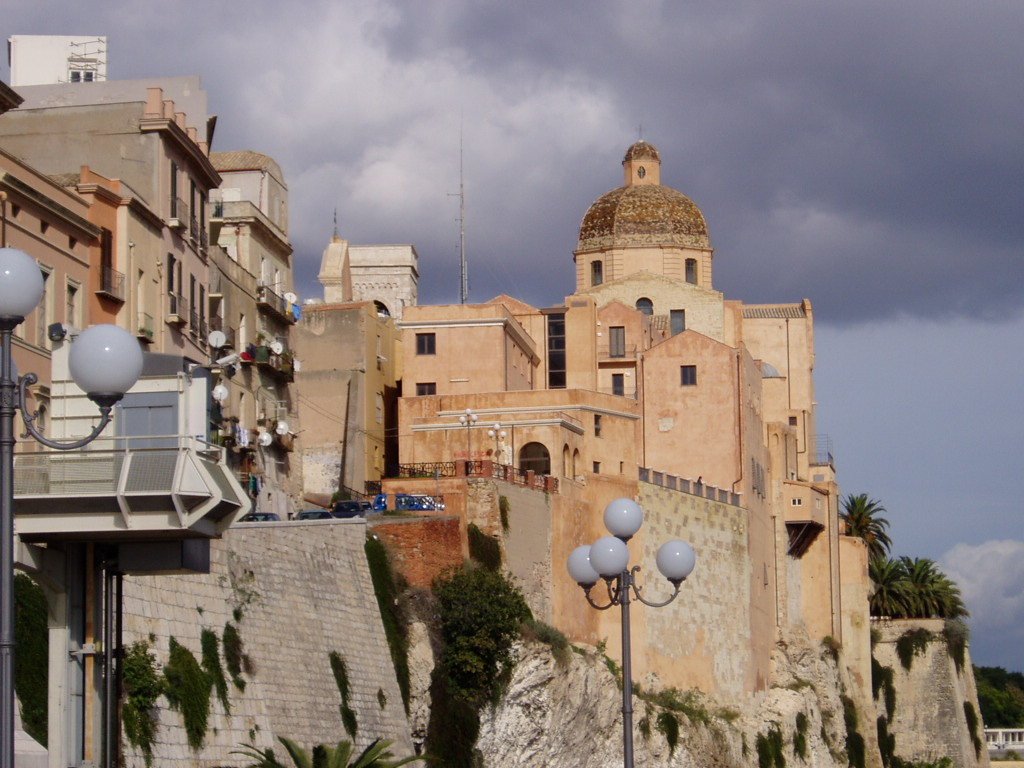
480,614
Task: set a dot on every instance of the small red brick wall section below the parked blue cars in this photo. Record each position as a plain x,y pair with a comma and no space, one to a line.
421,548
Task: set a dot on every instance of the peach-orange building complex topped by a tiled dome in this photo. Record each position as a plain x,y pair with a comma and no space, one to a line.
648,382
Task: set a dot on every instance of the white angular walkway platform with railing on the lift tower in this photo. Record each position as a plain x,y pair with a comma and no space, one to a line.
175,492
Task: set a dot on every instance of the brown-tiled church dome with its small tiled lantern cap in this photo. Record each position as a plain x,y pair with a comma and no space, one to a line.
644,216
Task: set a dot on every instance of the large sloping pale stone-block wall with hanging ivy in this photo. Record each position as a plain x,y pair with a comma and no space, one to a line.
303,590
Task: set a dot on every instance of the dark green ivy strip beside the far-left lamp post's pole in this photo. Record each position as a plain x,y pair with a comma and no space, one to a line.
31,655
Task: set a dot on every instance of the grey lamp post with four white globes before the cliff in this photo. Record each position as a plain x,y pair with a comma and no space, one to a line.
609,559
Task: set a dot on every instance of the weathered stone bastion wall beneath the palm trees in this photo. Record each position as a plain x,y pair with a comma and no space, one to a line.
930,720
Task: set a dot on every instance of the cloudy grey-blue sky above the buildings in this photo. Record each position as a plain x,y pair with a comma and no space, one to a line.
867,155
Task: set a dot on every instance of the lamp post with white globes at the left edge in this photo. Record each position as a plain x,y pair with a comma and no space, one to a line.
105,362
